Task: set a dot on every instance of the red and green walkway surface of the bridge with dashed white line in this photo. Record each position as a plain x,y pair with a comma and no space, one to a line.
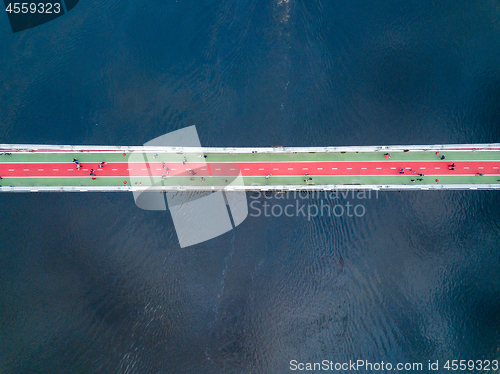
275,170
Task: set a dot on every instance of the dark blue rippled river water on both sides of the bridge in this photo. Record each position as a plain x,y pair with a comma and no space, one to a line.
91,284
